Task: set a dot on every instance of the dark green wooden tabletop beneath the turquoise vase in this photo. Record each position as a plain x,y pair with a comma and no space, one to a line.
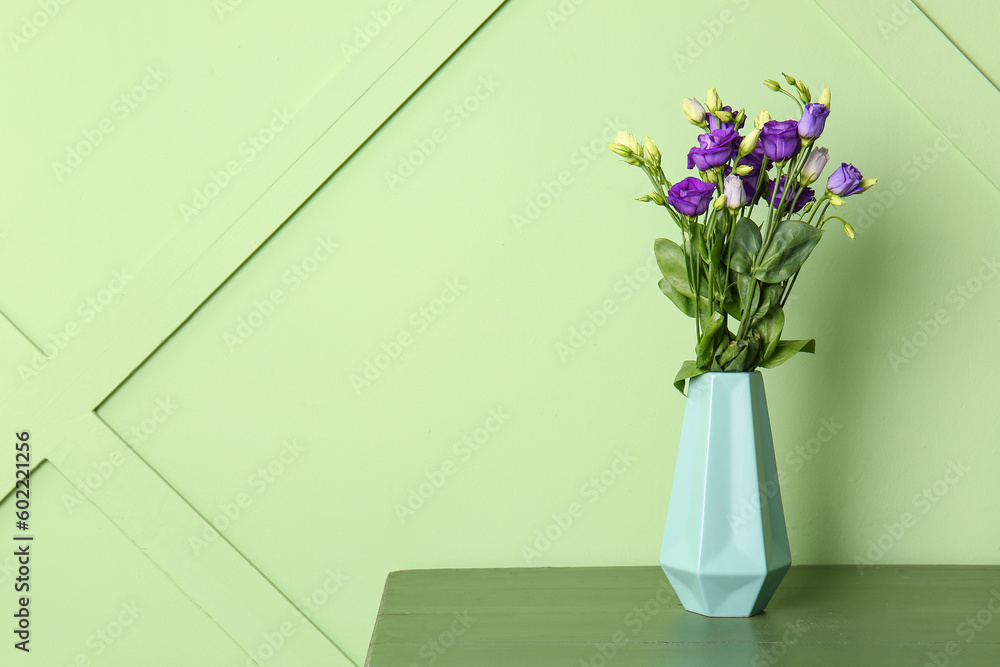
595,616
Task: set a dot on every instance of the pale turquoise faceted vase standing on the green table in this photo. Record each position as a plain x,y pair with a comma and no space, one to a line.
725,548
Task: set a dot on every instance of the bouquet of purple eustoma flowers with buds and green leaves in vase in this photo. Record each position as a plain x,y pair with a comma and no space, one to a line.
728,266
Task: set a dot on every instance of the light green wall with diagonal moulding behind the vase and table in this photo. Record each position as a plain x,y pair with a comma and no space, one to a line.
258,389
